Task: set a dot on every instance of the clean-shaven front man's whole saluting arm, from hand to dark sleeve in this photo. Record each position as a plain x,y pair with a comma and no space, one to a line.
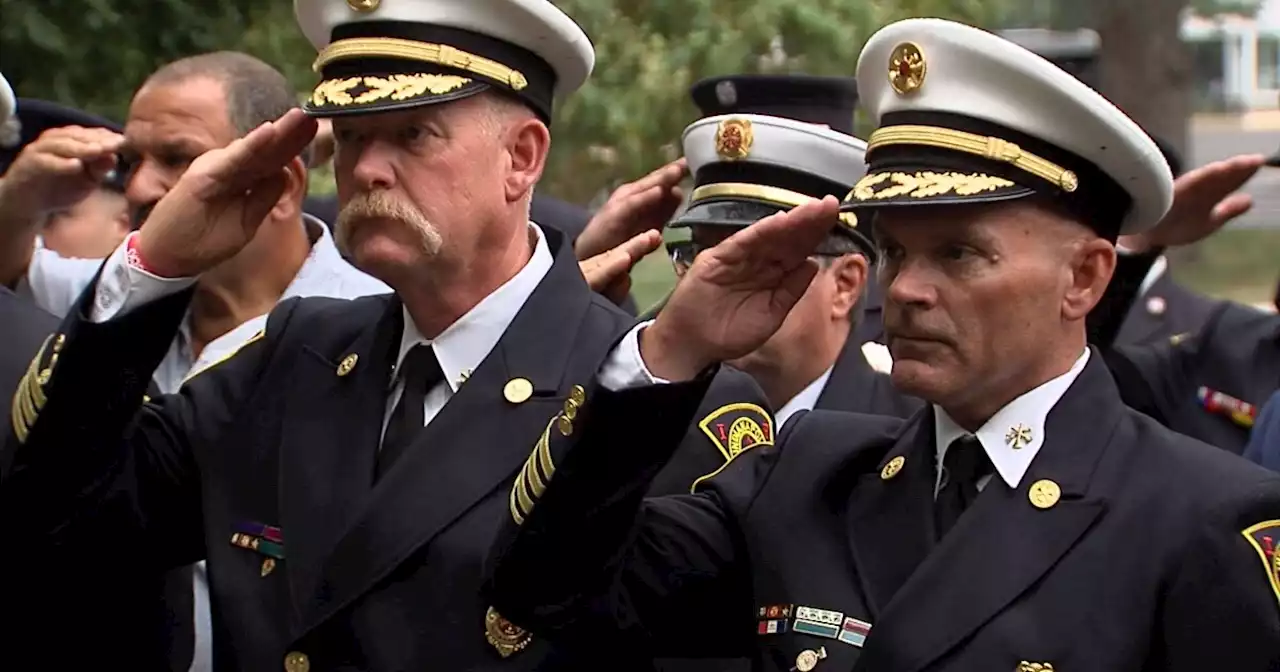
589,559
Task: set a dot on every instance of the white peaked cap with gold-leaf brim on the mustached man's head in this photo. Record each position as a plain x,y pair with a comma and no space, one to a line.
380,56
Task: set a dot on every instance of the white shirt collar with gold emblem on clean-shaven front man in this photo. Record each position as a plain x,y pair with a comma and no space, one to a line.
1028,412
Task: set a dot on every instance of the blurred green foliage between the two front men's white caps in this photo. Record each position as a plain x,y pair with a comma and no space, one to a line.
629,117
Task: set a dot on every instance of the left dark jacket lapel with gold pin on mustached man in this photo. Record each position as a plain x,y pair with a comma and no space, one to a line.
330,440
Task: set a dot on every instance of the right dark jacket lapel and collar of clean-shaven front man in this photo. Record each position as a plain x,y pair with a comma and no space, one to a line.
1004,545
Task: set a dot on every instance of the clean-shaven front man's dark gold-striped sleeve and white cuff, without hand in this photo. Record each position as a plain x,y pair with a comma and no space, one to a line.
586,561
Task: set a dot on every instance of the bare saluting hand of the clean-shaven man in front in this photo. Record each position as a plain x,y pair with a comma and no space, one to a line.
738,294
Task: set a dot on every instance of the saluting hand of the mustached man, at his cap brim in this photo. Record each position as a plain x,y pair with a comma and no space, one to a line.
216,209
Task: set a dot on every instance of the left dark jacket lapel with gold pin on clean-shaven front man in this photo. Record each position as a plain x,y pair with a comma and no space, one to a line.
892,514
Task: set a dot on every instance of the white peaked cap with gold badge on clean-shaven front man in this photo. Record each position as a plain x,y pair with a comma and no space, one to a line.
964,116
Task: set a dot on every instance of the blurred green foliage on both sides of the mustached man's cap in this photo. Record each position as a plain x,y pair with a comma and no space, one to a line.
625,122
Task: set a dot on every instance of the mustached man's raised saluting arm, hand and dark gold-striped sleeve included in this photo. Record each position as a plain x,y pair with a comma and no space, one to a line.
92,470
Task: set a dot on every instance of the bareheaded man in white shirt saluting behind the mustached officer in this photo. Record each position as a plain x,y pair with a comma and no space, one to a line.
185,109
